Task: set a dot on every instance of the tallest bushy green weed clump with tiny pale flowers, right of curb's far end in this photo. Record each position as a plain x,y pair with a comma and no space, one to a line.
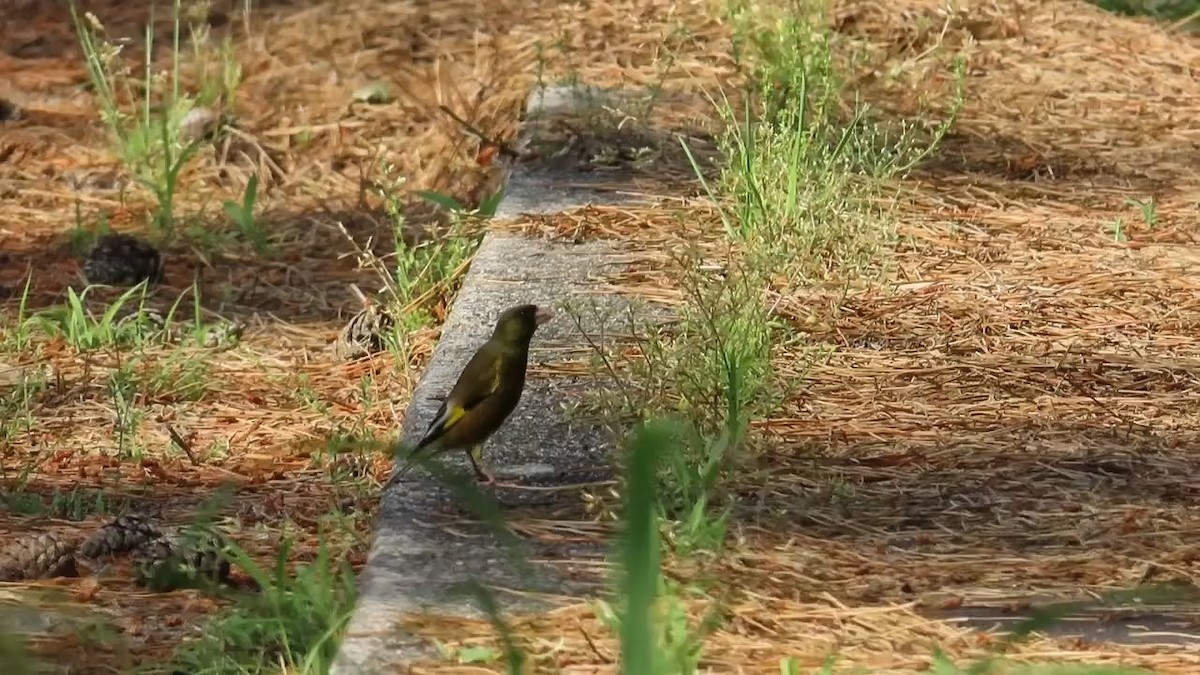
801,175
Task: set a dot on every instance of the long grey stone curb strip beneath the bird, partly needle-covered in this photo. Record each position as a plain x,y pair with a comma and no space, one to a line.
425,545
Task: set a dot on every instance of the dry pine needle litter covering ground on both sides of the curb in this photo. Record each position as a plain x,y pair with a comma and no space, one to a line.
1015,417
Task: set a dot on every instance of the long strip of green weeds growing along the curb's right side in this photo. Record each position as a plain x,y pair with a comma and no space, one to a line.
797,202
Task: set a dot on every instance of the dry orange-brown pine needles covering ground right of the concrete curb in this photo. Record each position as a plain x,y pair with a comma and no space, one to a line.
1011,416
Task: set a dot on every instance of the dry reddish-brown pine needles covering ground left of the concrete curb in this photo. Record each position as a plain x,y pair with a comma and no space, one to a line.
271,407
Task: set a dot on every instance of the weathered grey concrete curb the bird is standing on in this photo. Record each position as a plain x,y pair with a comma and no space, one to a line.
410,561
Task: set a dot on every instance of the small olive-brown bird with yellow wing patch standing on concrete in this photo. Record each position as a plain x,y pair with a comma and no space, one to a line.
487,393
